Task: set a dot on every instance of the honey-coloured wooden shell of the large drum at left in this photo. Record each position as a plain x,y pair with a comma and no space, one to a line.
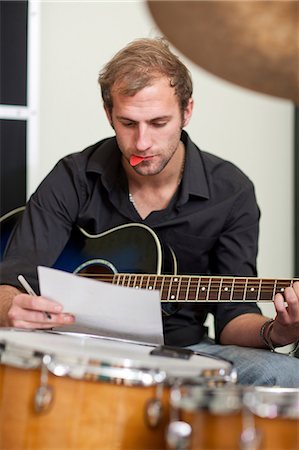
84,414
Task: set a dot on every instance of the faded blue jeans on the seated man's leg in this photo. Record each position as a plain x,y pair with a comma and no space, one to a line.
256,367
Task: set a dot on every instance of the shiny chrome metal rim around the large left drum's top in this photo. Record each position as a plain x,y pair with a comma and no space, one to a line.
133,373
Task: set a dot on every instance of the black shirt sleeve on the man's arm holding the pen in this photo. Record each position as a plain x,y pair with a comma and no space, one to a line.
45,225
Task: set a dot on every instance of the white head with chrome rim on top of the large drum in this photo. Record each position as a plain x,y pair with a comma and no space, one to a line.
79,356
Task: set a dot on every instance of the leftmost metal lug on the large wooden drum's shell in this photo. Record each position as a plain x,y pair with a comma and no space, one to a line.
44,394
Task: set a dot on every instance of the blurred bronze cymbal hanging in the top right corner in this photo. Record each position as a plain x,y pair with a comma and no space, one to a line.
254,44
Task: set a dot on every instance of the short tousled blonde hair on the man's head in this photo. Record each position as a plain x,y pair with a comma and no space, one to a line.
138,65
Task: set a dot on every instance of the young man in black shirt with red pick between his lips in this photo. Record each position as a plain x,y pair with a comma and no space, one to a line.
200,206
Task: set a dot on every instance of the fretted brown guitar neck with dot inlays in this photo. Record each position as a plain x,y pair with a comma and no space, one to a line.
183,288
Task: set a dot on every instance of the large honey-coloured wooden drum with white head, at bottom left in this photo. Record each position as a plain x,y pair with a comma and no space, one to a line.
66,391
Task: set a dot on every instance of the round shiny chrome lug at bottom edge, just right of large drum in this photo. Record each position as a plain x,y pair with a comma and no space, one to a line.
178,435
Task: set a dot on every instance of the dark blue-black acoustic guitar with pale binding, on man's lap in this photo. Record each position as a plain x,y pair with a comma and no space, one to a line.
131,255
